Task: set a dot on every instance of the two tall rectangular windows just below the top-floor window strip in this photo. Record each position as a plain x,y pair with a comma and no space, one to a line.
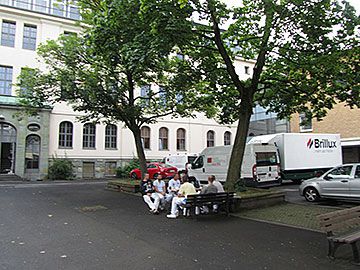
8,31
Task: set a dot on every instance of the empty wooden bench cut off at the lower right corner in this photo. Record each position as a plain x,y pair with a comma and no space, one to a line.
342,227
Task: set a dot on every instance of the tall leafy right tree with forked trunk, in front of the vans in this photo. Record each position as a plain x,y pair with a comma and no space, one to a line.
306,59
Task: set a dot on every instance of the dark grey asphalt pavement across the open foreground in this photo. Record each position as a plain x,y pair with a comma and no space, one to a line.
87,227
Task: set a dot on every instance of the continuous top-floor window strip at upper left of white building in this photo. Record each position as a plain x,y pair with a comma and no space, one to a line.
60,8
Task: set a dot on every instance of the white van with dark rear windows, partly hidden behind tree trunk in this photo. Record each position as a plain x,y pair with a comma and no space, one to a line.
260,165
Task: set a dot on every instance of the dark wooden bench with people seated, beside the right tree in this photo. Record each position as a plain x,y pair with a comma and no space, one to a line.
222,199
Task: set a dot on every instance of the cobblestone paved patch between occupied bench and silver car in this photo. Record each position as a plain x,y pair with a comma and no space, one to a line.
289,214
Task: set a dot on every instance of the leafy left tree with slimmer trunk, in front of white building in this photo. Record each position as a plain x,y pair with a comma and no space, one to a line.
100,71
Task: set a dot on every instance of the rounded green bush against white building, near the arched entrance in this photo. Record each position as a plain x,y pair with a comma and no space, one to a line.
61,169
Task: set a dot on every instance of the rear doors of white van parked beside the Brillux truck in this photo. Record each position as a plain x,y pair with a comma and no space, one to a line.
267,166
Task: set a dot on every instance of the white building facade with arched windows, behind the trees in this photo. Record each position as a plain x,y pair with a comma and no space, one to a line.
95,150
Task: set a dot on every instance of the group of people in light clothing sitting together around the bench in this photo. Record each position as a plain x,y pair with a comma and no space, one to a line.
156,195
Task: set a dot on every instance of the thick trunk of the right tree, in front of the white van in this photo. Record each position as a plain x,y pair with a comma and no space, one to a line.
234,170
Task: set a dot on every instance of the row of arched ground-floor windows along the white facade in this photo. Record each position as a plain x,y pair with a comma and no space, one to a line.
66,130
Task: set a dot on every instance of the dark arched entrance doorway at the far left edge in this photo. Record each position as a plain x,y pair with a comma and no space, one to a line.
7,148
